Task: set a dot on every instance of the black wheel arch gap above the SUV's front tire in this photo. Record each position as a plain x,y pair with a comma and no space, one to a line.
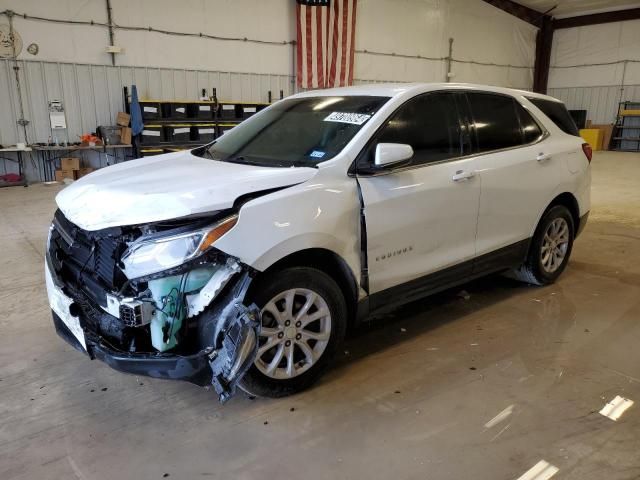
327,262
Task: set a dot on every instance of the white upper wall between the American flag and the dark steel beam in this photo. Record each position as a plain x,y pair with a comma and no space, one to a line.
423,28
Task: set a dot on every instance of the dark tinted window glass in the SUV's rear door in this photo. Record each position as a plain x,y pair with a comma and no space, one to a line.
496,121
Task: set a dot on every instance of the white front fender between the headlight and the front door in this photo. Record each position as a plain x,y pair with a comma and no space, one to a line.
321,213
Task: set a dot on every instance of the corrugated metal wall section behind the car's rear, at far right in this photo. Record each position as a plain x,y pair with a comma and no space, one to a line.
601,103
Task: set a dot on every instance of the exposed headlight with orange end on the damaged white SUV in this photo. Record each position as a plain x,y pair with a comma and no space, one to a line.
146,257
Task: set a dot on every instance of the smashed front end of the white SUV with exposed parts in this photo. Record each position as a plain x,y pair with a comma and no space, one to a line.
155,300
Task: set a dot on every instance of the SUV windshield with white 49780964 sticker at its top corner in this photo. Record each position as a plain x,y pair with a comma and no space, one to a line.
296,132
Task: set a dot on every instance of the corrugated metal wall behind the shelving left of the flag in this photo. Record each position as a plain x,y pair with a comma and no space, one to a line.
92,94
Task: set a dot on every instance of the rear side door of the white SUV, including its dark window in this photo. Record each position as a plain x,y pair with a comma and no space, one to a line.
518,171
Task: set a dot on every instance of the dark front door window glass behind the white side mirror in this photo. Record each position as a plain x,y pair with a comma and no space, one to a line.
429,124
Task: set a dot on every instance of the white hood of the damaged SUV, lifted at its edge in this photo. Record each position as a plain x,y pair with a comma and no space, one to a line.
164,187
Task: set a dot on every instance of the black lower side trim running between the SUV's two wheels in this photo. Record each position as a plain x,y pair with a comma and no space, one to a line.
391,298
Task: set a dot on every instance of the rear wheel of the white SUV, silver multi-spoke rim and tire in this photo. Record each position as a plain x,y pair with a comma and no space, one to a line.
550,248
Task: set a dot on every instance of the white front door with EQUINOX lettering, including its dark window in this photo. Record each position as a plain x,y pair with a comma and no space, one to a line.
421,217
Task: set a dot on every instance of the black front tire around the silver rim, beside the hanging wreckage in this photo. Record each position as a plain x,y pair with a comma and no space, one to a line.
269,286
